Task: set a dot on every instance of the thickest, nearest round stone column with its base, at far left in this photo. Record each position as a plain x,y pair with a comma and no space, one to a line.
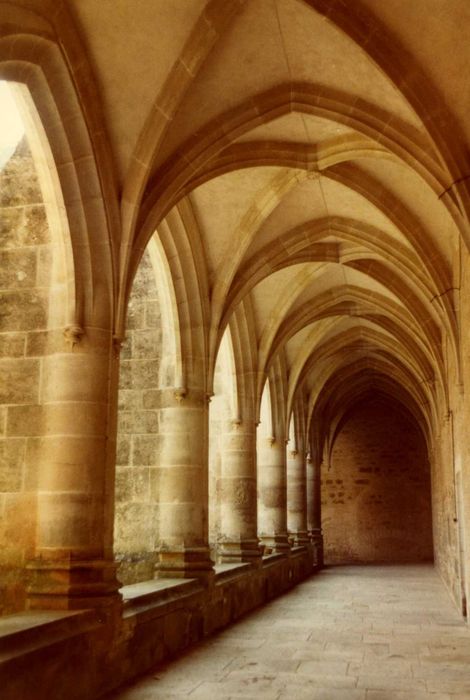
73,458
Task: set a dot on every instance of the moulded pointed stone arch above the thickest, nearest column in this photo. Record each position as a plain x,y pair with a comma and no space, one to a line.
62,88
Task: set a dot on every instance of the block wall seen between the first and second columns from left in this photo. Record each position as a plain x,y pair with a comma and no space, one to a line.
136,514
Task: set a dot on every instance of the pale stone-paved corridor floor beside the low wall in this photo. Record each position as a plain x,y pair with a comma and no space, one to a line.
349,633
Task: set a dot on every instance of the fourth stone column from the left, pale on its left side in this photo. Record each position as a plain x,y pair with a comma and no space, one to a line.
272,497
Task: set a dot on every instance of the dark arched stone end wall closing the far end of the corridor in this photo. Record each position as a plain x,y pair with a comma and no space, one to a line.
376,493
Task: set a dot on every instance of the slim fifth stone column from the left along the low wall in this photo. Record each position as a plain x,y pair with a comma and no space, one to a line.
297,497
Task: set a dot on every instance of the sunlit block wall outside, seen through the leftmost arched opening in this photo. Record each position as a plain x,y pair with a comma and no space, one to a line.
25,277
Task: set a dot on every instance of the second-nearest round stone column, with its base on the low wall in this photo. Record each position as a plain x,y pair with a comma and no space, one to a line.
183,486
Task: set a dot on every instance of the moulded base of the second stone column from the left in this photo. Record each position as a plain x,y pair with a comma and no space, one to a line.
185,563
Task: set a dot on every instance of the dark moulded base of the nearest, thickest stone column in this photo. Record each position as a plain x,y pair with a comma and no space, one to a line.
72,584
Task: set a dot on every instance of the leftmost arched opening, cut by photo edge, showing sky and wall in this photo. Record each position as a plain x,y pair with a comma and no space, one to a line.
36,289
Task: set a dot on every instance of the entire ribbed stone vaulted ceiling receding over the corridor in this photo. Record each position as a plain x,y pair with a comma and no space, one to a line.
321,147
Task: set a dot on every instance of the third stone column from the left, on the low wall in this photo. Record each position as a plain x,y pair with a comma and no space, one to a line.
237,491
